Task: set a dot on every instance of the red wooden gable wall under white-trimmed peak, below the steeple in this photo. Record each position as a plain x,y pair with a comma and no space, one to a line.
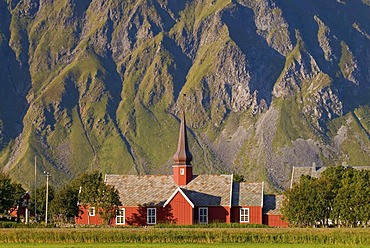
181,210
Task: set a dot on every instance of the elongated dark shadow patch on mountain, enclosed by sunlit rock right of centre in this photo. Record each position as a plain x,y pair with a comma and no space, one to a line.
263,62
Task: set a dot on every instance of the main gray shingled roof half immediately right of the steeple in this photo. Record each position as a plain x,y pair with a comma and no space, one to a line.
209,190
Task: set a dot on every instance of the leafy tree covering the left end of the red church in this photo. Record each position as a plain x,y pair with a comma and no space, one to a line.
94,192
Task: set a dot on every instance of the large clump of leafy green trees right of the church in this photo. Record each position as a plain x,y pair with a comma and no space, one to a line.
341,194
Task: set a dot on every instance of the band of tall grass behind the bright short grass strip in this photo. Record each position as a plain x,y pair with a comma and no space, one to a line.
352,237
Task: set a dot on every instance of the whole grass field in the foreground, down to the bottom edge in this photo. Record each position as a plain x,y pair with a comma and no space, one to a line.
183,237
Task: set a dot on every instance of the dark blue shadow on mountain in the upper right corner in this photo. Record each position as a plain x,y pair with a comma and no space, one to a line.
339,17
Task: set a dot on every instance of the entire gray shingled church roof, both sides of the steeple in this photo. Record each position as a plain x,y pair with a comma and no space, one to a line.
203,190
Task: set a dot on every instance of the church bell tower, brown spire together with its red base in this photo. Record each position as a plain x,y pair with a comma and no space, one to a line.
182,168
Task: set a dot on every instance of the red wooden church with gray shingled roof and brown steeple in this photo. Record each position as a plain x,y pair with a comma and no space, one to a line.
184,198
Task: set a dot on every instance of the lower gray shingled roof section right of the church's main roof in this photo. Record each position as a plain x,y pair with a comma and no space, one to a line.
247,194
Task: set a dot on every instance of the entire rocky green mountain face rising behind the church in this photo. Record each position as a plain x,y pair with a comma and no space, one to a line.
266,85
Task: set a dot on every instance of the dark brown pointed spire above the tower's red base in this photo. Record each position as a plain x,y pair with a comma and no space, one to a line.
183,155
